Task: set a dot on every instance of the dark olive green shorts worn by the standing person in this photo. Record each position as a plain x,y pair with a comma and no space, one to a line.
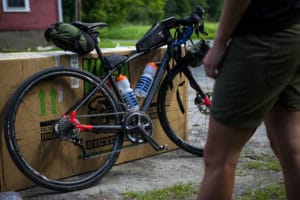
257,74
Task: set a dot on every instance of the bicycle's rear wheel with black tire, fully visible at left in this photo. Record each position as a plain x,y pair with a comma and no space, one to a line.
50,161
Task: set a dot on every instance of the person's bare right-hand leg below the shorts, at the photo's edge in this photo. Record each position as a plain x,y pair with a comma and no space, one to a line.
283,128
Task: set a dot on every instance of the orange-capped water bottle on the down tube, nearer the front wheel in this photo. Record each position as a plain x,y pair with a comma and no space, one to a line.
146,80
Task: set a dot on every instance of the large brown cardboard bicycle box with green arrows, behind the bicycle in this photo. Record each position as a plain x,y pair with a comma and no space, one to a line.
17,67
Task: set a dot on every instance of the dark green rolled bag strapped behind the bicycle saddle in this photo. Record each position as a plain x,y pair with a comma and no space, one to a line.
69,37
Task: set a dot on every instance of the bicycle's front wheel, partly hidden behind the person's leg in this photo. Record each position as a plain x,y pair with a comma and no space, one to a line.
179,116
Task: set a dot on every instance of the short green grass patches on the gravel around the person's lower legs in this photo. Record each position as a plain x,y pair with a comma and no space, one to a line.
188,191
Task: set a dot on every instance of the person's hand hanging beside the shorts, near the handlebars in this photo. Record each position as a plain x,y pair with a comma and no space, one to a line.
213,59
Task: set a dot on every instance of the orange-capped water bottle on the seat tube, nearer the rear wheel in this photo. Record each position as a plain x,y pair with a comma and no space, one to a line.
127,92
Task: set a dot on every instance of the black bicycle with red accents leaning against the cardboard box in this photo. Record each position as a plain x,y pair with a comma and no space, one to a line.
100,110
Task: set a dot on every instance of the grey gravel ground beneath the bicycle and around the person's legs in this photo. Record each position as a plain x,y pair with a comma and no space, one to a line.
161,171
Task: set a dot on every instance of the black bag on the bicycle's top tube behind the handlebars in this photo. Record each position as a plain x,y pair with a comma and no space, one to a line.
154,38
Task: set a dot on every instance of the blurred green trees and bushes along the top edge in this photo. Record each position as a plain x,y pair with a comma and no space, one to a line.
137,11
